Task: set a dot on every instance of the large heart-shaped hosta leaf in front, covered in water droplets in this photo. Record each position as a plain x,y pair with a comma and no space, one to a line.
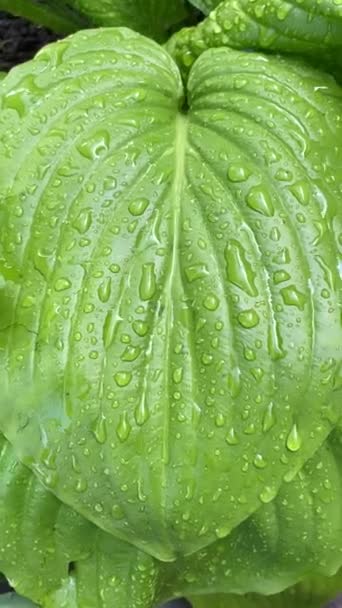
177,273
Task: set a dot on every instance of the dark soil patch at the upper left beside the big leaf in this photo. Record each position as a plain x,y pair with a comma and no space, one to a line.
20,40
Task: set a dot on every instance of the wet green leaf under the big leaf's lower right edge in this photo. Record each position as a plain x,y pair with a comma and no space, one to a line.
296,536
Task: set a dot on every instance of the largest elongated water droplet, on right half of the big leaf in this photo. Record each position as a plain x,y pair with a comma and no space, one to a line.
239,270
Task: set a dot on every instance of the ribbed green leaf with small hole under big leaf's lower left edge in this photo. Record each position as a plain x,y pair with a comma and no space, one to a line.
40,538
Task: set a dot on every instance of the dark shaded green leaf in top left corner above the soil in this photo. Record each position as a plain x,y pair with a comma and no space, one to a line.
56,16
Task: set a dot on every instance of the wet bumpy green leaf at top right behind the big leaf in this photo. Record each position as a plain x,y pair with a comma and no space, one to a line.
312,28
